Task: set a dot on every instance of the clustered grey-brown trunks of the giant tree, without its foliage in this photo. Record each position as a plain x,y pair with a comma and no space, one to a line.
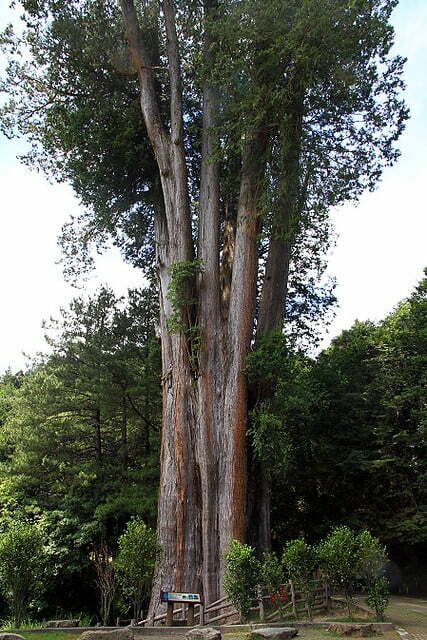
203,486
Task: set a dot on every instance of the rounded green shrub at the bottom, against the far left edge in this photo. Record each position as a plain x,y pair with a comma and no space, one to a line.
21,563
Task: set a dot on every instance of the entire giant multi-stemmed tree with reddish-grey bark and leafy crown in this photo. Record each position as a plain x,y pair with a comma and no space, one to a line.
256,118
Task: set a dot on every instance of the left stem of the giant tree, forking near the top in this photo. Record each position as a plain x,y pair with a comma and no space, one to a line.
179,510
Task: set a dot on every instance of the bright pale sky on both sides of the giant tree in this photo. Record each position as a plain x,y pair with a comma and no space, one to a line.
379,257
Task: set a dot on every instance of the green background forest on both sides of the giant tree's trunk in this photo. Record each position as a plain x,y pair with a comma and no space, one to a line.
343,436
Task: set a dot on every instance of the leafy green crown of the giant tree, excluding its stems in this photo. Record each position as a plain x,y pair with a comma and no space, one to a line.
323,69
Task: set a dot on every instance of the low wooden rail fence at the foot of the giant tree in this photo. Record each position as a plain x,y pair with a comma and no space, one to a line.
222,611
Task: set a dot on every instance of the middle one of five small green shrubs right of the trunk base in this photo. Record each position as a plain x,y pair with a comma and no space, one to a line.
300,562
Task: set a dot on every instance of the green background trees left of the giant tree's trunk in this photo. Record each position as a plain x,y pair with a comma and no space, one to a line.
79,445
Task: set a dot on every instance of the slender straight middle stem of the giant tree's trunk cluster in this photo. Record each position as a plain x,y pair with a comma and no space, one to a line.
211,356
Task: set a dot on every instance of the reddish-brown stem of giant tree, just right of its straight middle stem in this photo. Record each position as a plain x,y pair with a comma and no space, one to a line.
240,332
